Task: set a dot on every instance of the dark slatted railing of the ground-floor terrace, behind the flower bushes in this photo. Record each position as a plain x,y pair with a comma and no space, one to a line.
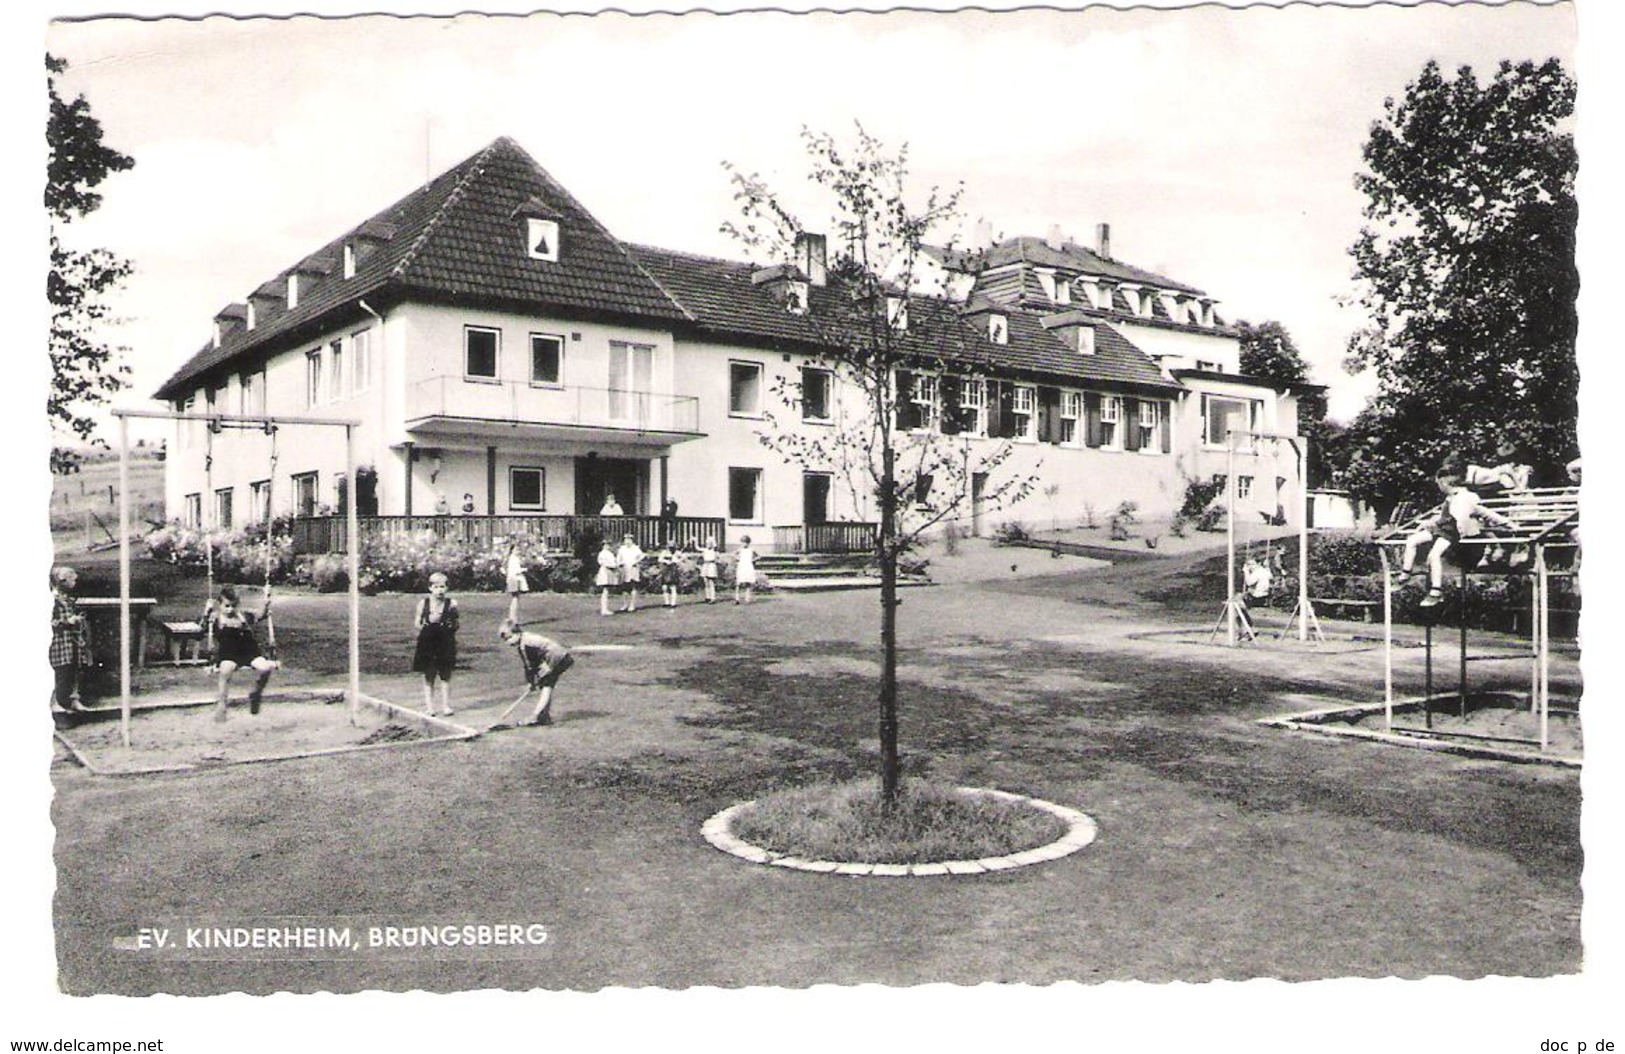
558,533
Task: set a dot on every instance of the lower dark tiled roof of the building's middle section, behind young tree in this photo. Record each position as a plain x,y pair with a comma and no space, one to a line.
722,300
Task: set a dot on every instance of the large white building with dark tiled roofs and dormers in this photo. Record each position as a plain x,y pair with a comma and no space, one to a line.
495,340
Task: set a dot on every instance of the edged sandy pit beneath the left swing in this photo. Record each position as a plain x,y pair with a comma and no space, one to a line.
184,737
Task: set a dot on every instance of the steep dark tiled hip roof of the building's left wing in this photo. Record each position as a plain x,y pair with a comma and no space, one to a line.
457,236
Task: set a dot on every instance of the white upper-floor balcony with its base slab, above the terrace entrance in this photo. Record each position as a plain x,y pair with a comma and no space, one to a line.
453,407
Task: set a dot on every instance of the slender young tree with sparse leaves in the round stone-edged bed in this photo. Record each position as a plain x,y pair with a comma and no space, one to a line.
906,358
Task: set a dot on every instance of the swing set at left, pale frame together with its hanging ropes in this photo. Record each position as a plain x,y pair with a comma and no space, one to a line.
215,425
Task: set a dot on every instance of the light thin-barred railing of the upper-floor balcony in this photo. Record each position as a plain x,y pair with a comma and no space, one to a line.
524,404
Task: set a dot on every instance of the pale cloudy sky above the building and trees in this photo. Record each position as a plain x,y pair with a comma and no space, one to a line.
1220,145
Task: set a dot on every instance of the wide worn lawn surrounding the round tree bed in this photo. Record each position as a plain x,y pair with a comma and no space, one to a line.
1226,850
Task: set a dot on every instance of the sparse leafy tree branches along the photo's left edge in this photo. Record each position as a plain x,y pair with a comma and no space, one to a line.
85,369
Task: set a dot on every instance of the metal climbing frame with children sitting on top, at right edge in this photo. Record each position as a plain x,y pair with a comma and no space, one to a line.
1545,525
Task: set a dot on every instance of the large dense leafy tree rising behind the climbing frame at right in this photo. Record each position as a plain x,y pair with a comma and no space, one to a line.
1467,269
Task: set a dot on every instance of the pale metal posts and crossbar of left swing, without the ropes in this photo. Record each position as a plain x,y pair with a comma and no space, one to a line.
212,423
